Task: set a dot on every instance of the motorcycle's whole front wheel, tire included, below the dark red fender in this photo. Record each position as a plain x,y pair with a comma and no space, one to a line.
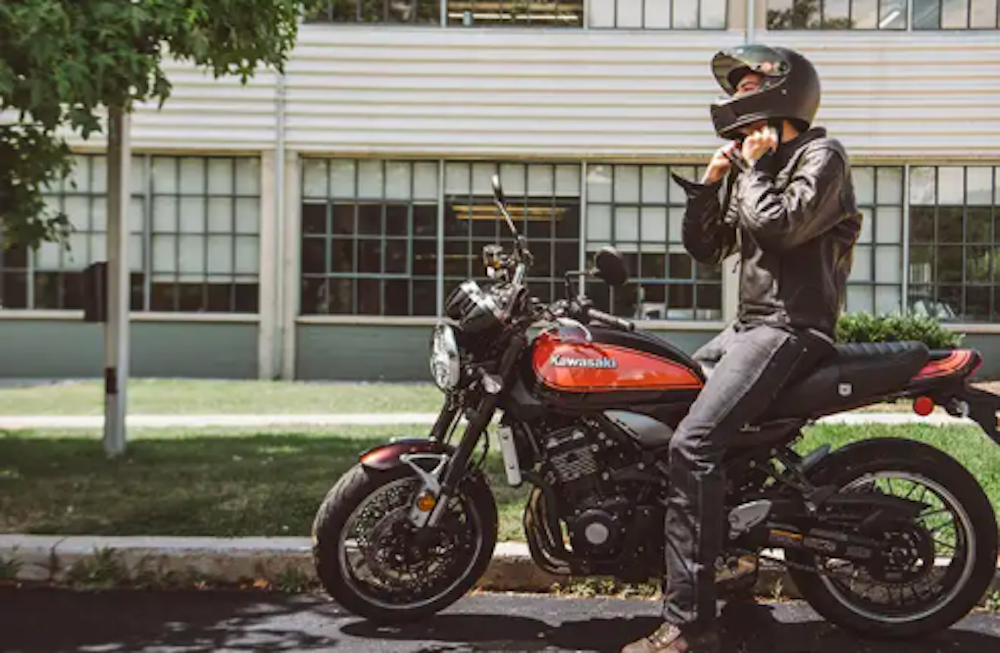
376,564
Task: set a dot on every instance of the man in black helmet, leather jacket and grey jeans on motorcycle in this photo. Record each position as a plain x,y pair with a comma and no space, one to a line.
789,210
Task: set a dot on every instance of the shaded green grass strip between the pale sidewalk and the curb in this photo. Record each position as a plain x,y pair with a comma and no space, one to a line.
243,483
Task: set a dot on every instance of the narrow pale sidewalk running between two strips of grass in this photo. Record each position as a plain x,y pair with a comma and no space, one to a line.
71,422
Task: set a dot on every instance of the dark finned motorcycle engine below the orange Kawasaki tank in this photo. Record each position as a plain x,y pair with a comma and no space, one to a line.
579,459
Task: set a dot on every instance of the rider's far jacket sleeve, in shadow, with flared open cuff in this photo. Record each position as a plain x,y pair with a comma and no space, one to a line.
706,235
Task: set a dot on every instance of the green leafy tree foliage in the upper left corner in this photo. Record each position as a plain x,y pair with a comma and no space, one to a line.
63,61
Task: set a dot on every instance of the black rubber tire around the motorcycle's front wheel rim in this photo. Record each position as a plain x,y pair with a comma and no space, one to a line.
338,506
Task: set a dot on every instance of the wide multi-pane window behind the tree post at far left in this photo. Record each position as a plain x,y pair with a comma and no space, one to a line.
194,229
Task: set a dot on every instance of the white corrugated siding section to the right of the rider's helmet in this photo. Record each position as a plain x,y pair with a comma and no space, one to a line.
914,96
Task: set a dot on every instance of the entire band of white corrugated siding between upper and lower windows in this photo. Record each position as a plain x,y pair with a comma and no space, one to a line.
578,94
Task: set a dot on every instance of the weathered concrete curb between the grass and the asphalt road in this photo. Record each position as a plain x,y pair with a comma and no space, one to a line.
53,559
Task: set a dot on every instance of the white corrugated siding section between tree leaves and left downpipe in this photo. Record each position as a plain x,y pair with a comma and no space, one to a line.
204,113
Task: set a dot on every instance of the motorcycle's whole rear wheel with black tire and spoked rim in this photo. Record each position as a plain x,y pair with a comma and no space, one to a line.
943,561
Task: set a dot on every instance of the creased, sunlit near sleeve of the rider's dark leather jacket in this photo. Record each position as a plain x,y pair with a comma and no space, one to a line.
809,206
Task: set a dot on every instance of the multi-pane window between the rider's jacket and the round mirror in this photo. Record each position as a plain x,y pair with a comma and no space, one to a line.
639,210
